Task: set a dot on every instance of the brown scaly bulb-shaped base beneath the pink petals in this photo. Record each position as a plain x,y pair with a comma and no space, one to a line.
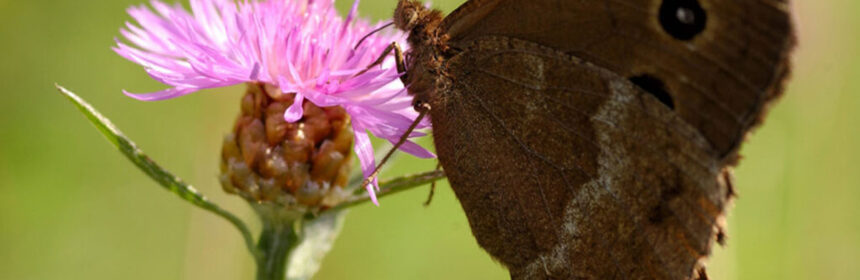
302,165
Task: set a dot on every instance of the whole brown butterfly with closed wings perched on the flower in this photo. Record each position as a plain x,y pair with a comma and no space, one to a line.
594,139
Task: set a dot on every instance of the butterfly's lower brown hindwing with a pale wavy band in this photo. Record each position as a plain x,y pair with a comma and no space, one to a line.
567,170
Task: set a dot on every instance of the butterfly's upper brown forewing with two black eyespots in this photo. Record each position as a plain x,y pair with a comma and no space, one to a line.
718,71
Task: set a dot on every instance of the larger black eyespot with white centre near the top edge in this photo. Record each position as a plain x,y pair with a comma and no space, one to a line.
683,19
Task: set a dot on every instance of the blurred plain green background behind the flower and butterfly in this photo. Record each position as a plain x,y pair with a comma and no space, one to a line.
71,207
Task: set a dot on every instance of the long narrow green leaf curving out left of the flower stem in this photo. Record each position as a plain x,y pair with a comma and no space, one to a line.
163,177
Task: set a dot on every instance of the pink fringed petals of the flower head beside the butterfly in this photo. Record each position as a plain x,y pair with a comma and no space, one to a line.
300,46
